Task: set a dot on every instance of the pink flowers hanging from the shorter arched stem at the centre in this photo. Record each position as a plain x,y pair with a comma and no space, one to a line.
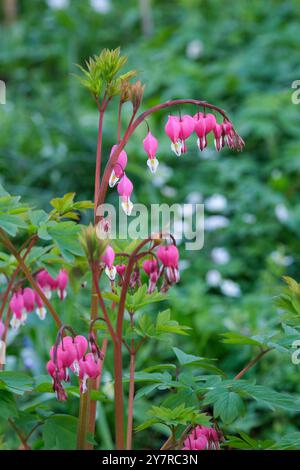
168,256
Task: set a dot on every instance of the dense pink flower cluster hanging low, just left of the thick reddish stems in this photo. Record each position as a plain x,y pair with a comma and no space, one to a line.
71,354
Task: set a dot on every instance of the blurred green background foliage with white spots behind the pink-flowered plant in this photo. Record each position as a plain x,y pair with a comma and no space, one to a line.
242,56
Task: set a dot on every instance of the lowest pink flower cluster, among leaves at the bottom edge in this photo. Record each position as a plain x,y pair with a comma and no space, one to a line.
202,438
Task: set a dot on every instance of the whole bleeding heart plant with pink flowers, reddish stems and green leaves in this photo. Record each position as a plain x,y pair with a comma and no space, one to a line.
137,273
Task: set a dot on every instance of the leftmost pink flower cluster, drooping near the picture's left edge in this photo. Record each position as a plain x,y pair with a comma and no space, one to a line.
26,300
